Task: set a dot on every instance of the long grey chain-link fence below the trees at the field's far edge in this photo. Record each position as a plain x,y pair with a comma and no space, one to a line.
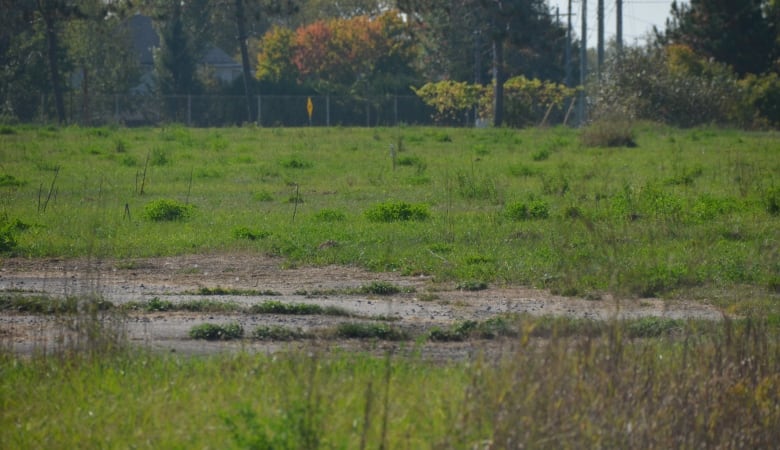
265,110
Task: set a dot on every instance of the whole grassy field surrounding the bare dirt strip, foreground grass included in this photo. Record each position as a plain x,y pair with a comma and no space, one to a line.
691,214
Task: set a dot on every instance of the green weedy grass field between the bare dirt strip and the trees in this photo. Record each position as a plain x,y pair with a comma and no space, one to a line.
693,211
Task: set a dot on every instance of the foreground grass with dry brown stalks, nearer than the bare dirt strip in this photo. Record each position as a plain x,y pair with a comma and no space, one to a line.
713,387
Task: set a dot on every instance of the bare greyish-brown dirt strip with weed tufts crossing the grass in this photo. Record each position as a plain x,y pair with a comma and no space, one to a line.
175,279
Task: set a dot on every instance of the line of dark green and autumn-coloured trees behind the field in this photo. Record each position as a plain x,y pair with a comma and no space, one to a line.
368,48
